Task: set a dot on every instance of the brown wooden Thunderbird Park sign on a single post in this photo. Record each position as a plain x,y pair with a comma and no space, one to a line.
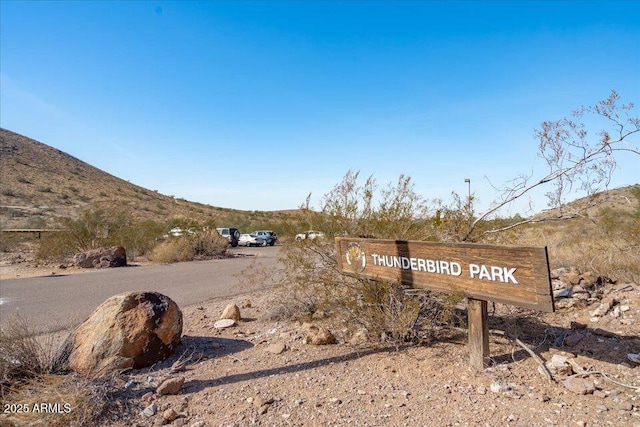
507,274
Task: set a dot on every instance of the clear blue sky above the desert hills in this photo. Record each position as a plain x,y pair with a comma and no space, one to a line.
254,105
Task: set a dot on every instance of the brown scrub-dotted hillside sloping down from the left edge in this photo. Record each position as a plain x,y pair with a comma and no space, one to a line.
40,183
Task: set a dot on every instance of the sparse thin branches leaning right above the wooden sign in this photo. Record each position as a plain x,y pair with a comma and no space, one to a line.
575,159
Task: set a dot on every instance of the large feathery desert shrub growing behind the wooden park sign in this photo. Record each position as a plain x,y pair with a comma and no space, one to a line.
383,308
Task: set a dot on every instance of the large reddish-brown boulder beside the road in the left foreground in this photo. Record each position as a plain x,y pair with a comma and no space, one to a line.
131,330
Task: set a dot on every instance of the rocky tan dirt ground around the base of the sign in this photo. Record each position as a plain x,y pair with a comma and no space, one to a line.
263,373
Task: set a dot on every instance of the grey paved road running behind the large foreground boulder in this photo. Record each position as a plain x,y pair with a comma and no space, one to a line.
56,302
